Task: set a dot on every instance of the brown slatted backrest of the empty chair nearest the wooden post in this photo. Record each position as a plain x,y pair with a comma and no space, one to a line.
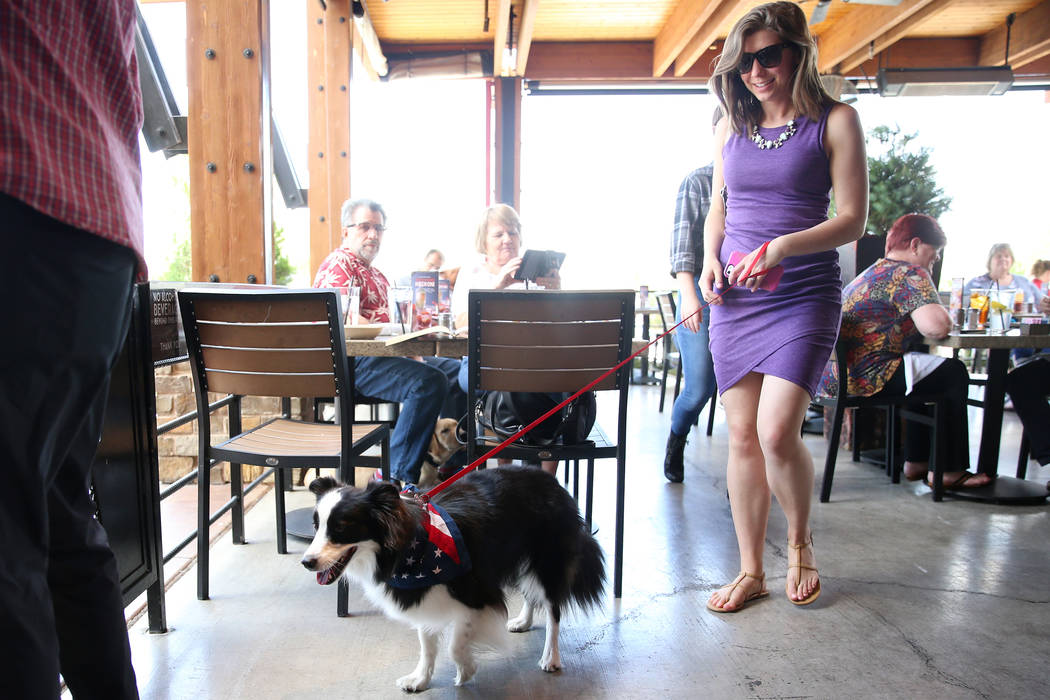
276,344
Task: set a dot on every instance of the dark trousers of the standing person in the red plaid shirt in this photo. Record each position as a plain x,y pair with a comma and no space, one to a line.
67,301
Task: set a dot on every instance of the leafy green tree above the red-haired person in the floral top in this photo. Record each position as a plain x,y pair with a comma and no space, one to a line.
902,181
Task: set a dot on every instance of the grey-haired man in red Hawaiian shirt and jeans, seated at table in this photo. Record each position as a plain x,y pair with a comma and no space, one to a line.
419,388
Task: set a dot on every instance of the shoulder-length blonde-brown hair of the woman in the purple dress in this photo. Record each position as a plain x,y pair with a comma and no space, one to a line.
809,96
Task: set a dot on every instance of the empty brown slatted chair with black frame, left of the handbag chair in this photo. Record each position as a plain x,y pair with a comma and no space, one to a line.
270,345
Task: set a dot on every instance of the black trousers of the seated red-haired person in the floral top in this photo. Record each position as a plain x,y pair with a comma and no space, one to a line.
951,380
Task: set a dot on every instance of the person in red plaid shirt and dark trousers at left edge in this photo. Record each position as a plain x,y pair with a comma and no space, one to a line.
71,216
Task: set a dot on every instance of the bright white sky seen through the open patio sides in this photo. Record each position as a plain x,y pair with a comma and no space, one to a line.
599,174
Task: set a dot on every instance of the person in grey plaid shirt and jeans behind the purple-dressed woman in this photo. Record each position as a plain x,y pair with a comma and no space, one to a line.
687,262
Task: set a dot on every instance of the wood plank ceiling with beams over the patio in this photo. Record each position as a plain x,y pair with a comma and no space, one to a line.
677,39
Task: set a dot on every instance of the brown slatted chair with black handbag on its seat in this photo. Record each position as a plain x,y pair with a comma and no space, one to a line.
555,342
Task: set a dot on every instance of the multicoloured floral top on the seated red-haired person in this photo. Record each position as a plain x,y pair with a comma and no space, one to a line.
877,324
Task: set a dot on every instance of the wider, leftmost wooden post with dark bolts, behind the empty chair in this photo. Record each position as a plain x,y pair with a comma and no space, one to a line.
230,155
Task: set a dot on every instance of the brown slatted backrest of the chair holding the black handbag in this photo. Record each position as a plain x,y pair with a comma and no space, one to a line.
549,342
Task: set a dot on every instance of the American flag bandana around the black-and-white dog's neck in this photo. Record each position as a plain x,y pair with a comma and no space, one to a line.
436,556
